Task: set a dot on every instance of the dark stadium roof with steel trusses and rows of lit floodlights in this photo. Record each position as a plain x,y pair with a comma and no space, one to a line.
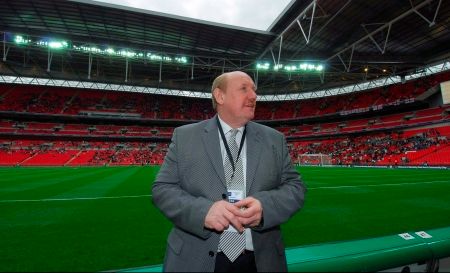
312,45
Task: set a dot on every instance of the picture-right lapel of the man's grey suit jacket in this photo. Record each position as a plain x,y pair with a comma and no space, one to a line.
253,153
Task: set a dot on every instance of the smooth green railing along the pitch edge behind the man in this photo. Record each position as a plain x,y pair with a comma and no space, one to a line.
367,255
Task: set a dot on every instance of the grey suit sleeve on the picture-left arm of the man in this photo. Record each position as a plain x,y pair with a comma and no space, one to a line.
184,210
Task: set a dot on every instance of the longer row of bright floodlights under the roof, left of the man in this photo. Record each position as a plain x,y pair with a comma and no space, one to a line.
55,44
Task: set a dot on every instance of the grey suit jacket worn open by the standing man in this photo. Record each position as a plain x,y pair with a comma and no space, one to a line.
192,178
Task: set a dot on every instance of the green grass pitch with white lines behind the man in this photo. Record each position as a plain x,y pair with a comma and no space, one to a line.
102,218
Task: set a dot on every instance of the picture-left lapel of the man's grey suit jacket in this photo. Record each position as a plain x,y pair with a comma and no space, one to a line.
210,138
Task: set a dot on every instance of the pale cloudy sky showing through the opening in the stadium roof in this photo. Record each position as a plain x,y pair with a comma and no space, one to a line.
254,14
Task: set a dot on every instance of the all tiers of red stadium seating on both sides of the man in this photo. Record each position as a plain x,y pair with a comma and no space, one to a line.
414,135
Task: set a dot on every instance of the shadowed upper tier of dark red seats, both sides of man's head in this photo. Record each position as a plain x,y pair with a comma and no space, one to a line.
71,101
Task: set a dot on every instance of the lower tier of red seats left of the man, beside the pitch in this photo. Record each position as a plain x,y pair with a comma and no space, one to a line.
79,153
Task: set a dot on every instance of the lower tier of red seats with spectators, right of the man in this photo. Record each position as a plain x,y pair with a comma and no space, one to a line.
415,147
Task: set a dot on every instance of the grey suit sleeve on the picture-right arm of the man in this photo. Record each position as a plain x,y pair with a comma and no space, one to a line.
283,201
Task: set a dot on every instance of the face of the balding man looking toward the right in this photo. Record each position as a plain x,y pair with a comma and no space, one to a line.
239,98
